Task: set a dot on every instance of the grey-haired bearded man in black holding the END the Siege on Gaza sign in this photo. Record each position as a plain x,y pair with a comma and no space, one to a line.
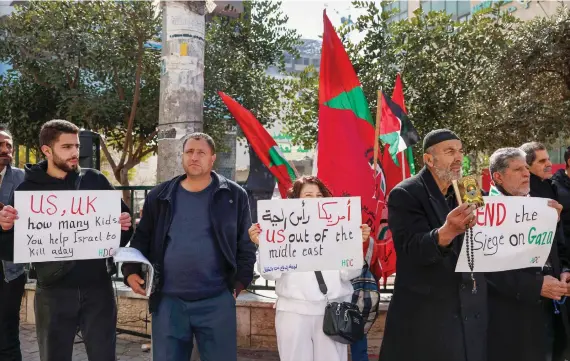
527,321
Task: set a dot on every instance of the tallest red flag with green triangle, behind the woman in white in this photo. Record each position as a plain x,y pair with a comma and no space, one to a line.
346,132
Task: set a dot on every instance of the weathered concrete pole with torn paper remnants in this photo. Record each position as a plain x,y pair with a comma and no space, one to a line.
181,81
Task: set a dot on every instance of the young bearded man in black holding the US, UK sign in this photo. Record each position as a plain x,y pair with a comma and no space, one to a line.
69,294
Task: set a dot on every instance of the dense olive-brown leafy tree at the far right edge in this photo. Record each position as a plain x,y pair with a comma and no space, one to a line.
527,96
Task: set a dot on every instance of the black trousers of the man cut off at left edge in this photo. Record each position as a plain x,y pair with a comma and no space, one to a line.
10,300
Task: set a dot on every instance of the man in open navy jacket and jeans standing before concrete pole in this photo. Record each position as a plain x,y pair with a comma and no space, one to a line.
194,232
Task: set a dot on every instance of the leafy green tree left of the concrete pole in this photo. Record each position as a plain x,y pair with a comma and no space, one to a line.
92,55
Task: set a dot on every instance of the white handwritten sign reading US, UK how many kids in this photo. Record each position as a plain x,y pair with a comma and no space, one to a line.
66,225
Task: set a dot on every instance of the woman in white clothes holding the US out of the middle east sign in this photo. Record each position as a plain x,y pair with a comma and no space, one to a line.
300,304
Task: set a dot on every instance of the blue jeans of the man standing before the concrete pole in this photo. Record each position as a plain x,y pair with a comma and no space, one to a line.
211,321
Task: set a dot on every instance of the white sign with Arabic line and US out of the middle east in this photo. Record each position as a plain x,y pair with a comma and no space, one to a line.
310,234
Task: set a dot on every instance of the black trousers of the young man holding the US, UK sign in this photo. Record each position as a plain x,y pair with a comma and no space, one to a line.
60,312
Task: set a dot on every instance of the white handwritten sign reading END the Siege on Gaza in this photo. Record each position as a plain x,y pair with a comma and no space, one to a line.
511,233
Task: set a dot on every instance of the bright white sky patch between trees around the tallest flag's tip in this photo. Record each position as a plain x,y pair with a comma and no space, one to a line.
307,16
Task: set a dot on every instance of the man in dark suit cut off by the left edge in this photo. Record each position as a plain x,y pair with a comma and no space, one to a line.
12,276
